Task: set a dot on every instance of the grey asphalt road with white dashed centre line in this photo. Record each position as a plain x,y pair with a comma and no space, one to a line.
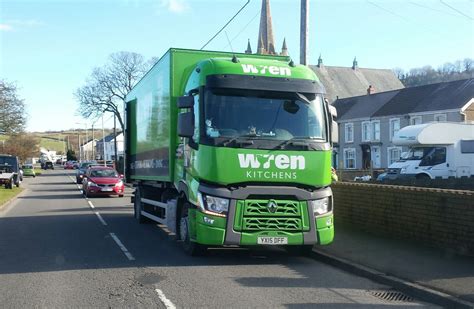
59,249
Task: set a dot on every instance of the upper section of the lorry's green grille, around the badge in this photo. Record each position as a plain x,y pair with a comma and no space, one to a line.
283,208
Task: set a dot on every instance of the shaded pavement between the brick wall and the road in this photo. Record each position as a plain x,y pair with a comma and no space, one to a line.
432,274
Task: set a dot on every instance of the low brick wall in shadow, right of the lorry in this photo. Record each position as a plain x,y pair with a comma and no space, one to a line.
437,217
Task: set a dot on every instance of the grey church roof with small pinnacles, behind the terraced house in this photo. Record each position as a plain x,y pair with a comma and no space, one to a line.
344,82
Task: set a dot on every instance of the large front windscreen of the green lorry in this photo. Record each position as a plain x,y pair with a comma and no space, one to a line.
264,116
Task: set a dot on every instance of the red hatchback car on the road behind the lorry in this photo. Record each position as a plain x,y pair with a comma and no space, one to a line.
102,180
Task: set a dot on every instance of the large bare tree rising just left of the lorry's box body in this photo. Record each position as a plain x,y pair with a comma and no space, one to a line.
107,86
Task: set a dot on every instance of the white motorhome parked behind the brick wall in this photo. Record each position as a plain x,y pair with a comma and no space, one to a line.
437,149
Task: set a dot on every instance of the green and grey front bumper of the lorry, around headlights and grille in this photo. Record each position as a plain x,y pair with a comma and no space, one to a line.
303,229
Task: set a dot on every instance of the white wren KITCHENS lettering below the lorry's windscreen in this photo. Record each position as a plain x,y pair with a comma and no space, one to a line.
263,166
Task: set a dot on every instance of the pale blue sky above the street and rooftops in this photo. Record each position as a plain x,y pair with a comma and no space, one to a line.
50,47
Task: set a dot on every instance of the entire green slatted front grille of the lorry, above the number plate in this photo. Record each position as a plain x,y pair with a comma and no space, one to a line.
265,215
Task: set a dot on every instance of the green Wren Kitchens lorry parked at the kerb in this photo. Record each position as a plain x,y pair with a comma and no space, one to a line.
231,149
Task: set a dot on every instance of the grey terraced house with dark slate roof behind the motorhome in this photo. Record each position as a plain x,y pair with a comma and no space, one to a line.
368,122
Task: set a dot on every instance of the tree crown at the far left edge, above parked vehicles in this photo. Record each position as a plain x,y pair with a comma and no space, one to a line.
12,109
